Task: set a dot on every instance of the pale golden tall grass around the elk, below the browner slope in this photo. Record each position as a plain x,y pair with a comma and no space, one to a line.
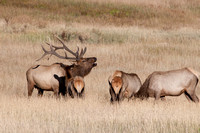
160,51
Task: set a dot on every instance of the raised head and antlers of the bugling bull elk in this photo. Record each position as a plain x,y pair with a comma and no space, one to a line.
81,67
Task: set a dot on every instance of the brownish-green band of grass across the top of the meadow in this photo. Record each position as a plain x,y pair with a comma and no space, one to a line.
110,13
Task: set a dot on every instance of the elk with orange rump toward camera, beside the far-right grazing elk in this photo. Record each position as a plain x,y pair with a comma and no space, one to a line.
123,85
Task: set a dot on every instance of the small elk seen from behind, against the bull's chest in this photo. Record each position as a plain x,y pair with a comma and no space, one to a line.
76,87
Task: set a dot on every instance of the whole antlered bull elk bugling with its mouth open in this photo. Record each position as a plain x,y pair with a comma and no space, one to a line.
55,77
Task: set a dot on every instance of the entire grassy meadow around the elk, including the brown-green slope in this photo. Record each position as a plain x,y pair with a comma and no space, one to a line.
137,36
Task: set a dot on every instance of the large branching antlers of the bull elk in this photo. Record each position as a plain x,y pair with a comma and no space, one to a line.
53,49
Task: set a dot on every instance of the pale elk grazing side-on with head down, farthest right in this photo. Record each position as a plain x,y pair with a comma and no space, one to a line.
170,83
